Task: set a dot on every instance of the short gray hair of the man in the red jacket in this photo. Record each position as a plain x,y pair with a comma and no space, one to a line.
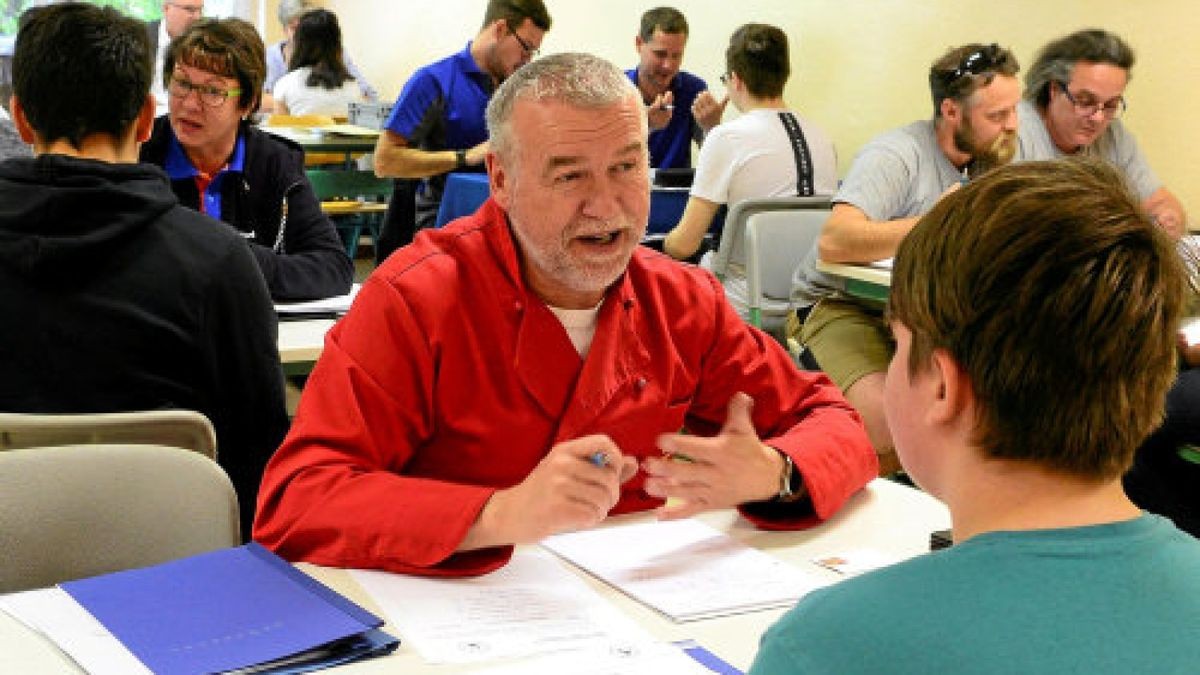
574,79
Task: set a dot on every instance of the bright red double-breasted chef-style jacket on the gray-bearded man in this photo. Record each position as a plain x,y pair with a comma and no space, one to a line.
449,379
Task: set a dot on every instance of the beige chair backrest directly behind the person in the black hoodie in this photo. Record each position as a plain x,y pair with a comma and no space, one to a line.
176,428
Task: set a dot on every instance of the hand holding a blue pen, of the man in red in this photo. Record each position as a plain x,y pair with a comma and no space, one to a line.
566,492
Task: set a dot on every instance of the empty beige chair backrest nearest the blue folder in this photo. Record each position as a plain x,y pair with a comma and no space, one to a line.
81,511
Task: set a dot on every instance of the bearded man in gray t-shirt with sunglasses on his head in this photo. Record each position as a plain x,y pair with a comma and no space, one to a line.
897,178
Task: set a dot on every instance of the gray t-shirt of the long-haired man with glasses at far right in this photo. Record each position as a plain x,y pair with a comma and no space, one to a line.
1117,146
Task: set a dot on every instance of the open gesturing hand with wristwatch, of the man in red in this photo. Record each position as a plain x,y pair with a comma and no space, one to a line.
703,474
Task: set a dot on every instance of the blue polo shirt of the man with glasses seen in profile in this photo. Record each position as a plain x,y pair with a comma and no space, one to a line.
442,107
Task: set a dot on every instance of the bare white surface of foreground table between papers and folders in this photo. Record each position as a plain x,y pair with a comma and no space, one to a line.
886,516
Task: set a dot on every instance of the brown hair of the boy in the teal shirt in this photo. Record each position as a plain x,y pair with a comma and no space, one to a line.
1060,300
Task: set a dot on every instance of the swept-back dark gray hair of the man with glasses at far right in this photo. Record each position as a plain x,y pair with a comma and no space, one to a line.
1057,61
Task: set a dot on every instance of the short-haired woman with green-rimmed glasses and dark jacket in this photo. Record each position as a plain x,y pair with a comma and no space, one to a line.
220,164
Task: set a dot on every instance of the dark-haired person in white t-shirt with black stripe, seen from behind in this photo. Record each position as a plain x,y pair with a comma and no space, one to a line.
754,156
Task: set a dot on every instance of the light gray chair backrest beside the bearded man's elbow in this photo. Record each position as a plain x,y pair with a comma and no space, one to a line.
776,243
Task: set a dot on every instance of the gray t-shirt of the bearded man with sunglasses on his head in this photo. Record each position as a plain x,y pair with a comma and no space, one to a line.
901,174
